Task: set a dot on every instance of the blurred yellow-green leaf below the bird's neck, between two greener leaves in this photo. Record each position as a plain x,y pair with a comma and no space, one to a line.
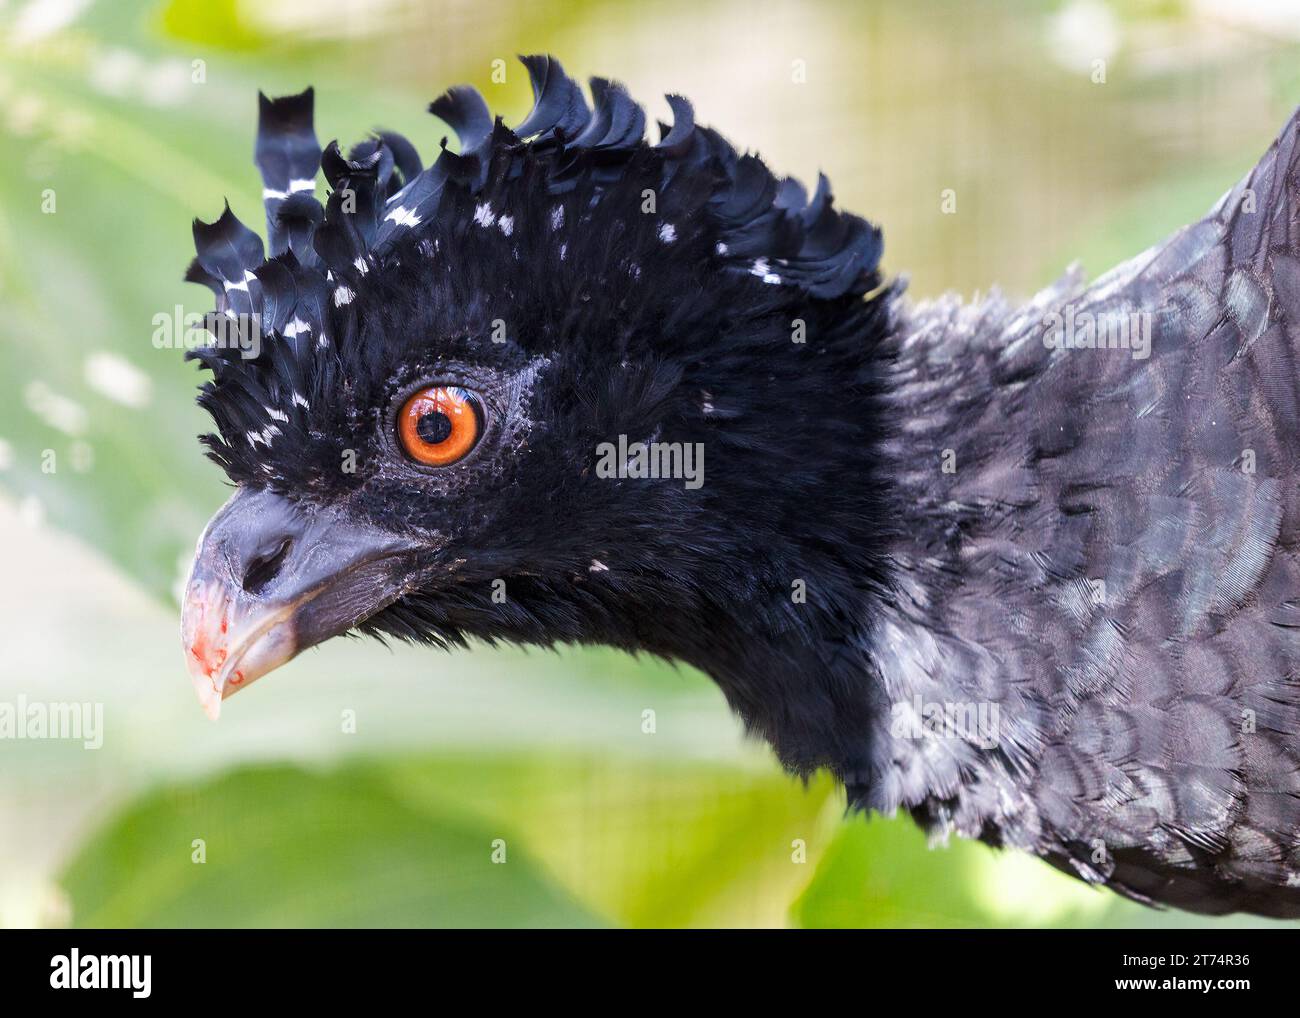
653,842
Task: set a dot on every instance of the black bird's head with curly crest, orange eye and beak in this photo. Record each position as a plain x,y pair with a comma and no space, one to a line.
561,387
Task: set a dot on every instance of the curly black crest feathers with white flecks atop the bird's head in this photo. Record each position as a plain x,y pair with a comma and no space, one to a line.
304,296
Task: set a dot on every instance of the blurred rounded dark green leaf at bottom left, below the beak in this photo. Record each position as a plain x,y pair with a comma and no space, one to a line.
285,848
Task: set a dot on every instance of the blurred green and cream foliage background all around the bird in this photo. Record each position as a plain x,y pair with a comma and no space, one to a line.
138,116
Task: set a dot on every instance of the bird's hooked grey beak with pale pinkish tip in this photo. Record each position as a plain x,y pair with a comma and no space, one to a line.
271,579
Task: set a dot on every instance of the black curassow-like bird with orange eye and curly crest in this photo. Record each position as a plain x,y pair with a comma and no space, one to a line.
1028,573
